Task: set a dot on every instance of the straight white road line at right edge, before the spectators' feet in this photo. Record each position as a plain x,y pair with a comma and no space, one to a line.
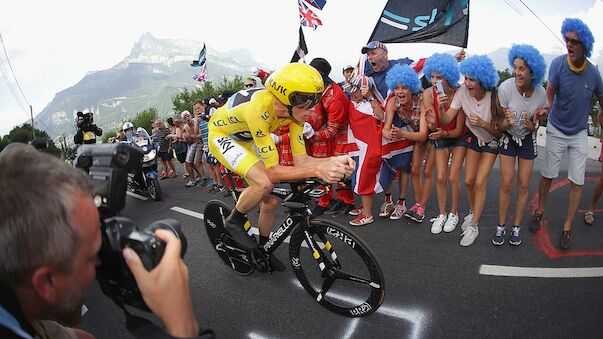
541,272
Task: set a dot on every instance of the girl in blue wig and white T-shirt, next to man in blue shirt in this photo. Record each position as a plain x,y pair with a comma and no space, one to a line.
522,98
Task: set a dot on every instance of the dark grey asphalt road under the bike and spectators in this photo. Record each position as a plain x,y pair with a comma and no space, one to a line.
434,287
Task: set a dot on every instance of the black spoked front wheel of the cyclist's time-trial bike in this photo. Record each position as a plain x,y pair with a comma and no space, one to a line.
337,268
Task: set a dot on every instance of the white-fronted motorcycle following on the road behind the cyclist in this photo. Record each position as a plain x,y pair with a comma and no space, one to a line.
146,180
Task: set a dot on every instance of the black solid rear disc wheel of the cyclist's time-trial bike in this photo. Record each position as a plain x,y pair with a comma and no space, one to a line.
231,255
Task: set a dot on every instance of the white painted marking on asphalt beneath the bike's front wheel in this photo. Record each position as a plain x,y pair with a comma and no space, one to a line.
415,317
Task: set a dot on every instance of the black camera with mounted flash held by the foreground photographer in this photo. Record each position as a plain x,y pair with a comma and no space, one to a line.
108,166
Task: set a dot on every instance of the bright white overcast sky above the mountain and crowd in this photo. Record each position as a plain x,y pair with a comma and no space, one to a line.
53,44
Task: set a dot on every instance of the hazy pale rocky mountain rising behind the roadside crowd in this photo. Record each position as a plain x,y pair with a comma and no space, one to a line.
155,71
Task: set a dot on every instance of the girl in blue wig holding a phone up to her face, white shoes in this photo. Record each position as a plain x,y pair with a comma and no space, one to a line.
443,72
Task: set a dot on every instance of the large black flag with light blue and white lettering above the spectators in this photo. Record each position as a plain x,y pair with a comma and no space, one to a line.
436,21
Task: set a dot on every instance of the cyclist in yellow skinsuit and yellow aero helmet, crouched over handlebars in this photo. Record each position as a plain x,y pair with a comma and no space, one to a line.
239,137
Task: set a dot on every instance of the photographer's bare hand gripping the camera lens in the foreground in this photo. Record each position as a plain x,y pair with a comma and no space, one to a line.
171,274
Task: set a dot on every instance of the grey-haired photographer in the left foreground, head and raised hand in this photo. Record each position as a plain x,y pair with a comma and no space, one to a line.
49,241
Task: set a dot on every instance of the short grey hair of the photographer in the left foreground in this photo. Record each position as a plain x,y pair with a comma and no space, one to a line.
34,233
